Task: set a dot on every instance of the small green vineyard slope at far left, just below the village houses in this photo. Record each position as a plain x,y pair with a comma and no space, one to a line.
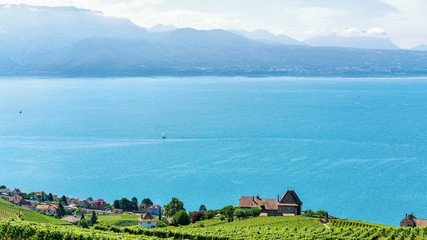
9,210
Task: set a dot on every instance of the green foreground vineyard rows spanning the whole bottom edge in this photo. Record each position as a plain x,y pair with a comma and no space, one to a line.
254,228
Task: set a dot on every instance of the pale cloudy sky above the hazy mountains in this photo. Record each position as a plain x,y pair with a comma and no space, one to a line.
403,21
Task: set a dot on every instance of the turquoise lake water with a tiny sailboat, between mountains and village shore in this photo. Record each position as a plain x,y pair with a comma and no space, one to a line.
354,147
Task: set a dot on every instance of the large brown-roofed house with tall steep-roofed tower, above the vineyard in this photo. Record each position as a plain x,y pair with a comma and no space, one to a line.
288,205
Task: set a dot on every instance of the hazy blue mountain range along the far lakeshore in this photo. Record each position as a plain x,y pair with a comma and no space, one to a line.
68,41
